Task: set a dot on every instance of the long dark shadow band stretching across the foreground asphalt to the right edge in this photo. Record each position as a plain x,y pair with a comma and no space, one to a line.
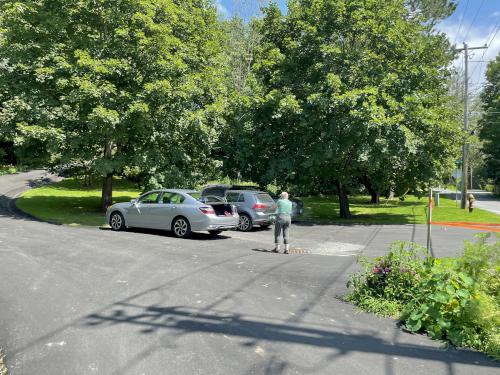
181,320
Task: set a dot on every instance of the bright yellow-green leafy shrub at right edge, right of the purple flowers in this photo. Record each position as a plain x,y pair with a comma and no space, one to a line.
459,301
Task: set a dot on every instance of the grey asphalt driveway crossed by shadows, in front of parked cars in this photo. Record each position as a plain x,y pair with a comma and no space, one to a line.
88,301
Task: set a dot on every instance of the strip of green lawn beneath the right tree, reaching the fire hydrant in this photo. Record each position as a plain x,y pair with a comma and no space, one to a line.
410,211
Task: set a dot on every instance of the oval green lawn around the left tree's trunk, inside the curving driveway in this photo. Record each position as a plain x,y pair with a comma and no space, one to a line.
68,202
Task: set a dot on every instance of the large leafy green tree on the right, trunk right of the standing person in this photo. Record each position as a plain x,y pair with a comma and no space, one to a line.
352,88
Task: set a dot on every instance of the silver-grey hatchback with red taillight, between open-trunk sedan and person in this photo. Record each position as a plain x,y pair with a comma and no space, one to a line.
254,207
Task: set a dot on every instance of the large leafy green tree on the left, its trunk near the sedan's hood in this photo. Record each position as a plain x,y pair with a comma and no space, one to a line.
114,84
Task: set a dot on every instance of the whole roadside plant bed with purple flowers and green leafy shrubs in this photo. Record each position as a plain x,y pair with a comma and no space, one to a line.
454,299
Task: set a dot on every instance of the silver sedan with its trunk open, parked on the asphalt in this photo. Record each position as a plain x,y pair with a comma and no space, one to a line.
181,211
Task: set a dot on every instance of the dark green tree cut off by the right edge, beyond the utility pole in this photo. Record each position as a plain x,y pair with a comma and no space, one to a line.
489,123
